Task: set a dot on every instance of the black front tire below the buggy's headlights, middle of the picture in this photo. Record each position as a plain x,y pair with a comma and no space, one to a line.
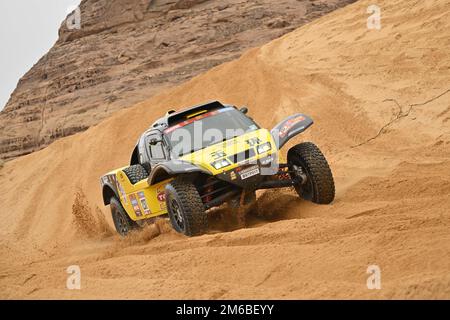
185,208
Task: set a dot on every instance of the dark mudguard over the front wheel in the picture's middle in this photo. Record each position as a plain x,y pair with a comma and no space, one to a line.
166,170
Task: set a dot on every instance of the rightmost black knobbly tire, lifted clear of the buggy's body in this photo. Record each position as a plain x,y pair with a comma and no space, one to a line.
319,187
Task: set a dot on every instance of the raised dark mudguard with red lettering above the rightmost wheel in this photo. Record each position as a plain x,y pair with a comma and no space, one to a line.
289,128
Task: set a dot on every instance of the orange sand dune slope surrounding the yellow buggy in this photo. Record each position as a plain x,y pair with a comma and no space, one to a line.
380,100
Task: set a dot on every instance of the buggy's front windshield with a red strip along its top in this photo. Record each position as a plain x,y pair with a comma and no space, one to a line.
208,129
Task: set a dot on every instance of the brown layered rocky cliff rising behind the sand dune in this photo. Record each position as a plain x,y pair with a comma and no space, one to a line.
126,51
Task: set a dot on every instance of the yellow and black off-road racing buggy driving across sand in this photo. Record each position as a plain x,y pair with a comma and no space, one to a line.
193,160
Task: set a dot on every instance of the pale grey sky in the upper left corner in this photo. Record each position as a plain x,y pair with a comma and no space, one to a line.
28,29
